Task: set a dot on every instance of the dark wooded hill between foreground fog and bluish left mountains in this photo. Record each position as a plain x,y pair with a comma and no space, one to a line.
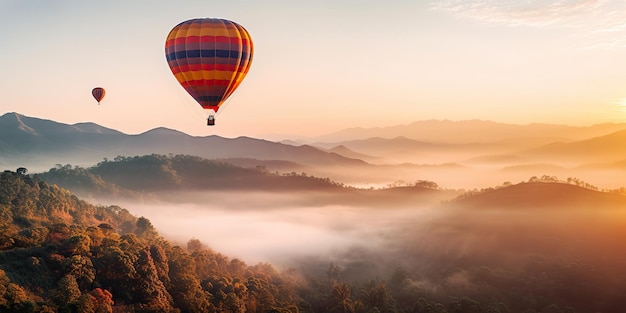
155,173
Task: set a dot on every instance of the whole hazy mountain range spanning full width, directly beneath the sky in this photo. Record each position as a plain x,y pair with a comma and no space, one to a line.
466,154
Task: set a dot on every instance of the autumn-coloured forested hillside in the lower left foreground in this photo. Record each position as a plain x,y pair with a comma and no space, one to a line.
61,254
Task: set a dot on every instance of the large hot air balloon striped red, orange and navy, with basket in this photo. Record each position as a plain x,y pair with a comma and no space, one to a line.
210,58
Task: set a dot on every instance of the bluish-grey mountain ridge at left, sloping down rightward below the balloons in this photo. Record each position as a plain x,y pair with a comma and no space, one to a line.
30,142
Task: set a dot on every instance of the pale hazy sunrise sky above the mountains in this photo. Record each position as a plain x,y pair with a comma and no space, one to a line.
321,66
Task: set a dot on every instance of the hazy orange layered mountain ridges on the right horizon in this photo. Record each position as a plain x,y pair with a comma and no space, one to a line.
534,143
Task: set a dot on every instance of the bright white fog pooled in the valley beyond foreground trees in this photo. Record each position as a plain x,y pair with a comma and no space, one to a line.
257,227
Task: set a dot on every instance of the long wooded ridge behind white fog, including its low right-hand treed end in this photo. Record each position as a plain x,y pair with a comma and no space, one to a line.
182,177
